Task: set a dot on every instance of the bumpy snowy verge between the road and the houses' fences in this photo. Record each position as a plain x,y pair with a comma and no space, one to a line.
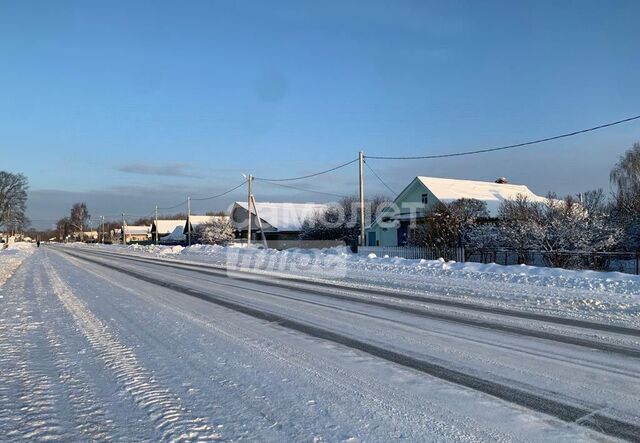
610,297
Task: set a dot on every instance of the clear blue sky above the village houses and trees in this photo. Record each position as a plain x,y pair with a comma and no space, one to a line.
130,104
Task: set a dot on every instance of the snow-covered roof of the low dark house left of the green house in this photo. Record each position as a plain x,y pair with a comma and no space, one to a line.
283,217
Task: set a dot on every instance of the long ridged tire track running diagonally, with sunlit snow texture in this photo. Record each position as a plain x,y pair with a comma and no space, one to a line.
173,421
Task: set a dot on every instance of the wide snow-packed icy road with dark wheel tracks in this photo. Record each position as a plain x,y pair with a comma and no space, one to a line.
95,346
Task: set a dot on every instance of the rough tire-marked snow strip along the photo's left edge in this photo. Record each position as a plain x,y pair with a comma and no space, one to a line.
28,402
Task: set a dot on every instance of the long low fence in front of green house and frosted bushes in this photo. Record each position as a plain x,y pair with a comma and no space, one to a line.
627,262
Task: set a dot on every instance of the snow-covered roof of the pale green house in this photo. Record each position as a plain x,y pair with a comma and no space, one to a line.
493,194
